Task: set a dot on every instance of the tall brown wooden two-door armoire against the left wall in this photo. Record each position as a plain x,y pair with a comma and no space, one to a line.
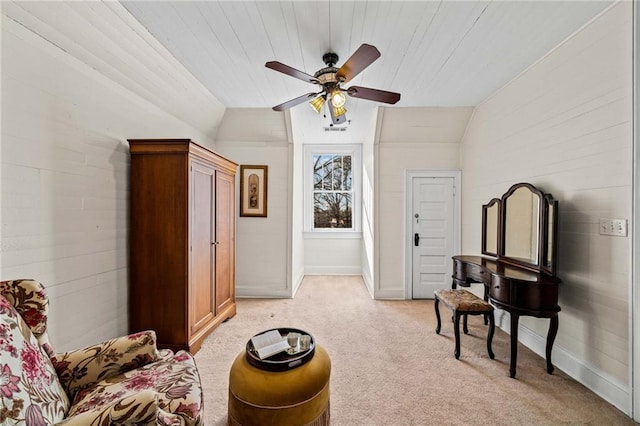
181,241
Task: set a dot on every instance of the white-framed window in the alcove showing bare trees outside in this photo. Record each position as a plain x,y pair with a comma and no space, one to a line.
332,188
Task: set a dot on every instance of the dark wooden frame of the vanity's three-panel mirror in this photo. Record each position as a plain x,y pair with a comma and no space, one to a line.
547,230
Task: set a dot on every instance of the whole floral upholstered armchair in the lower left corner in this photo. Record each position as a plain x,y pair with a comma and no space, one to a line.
124,381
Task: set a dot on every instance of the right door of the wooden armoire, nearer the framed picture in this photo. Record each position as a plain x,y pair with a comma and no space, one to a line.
224,237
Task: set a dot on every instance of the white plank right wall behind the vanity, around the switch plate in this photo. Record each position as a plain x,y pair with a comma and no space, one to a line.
565,125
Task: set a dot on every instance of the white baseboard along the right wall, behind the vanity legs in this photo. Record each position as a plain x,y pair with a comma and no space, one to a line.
603,385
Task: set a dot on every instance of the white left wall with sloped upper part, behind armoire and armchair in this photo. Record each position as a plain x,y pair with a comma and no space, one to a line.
77,81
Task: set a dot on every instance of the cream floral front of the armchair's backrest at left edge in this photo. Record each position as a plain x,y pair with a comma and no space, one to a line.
30,391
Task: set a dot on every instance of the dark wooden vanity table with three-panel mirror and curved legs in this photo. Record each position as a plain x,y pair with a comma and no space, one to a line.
518,266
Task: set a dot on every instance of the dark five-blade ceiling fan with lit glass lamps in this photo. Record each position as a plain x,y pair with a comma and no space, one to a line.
331,78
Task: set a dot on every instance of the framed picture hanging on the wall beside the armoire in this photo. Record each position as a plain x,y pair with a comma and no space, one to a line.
253,190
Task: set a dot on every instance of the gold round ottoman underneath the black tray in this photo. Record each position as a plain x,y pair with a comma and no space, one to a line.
294,397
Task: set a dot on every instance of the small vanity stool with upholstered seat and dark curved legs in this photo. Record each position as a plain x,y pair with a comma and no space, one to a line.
463,302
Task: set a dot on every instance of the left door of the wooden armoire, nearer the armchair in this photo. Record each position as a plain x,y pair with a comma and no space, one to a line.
202,285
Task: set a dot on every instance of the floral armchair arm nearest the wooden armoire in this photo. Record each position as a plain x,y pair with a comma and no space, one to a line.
82,367
